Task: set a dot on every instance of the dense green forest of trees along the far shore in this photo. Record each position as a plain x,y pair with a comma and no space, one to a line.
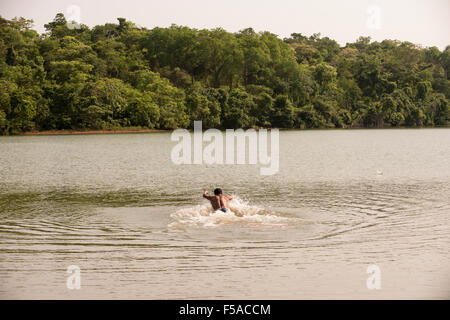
121,75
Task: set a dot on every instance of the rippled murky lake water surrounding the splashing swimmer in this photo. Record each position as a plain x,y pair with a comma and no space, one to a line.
137,227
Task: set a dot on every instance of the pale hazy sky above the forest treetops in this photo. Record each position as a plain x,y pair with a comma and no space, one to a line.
424,22
